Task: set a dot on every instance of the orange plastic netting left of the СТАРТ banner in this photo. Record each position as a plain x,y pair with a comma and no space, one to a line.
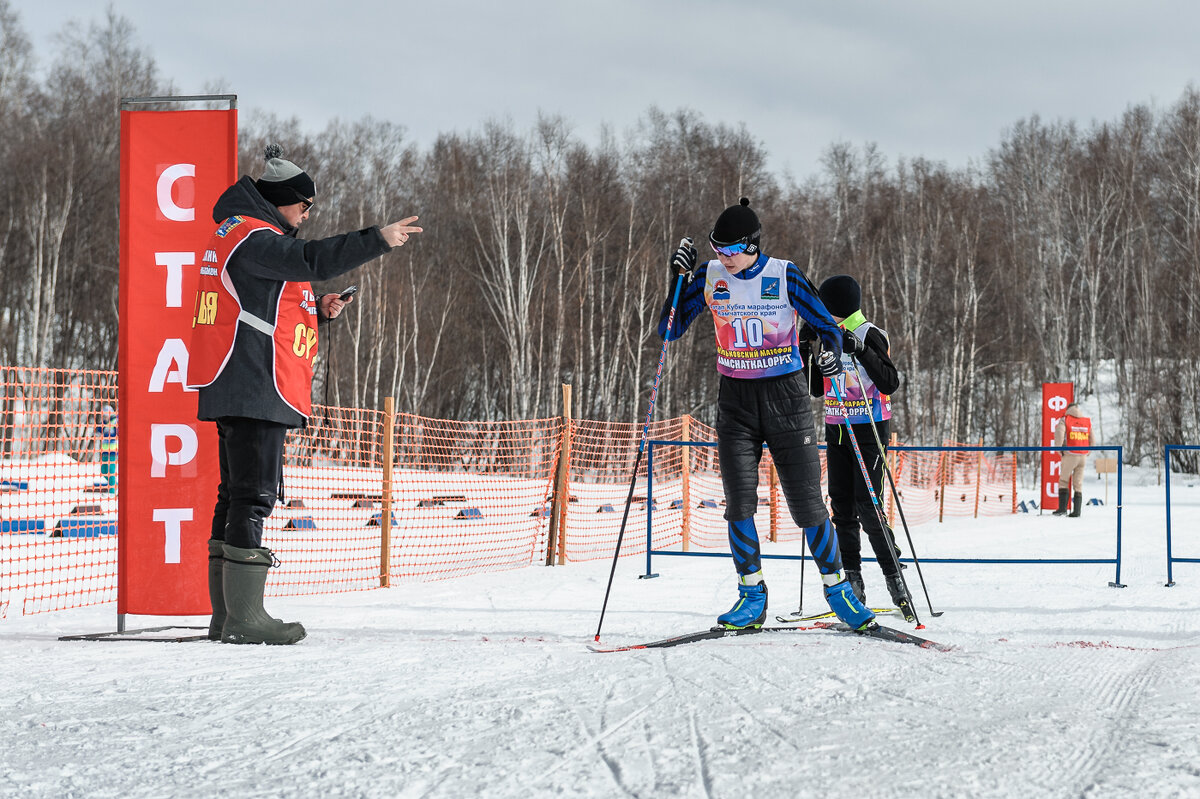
58,484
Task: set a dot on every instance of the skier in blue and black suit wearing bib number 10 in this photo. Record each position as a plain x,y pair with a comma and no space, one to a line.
759,304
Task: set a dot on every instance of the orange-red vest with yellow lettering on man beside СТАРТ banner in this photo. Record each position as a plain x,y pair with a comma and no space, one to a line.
219,320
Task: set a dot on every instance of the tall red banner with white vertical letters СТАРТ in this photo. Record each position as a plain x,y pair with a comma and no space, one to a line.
175,166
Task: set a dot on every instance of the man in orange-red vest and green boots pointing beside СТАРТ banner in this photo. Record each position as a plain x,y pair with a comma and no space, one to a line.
254,343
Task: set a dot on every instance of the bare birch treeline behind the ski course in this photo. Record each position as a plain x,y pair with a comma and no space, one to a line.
544,259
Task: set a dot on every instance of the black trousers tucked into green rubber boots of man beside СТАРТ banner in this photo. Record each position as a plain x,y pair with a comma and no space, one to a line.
251,474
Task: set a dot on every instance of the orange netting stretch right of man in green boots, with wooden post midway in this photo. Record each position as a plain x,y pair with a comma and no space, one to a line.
463,497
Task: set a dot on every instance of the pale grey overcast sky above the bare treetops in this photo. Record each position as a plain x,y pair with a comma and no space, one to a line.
940,80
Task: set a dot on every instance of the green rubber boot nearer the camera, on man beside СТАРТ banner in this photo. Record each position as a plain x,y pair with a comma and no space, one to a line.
244,579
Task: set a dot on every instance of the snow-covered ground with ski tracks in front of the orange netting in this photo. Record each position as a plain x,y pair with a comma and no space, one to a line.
1059,687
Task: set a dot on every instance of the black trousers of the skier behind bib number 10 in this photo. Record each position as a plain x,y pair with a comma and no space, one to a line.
849,500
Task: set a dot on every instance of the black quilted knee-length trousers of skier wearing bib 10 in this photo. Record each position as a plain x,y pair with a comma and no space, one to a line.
776,412
